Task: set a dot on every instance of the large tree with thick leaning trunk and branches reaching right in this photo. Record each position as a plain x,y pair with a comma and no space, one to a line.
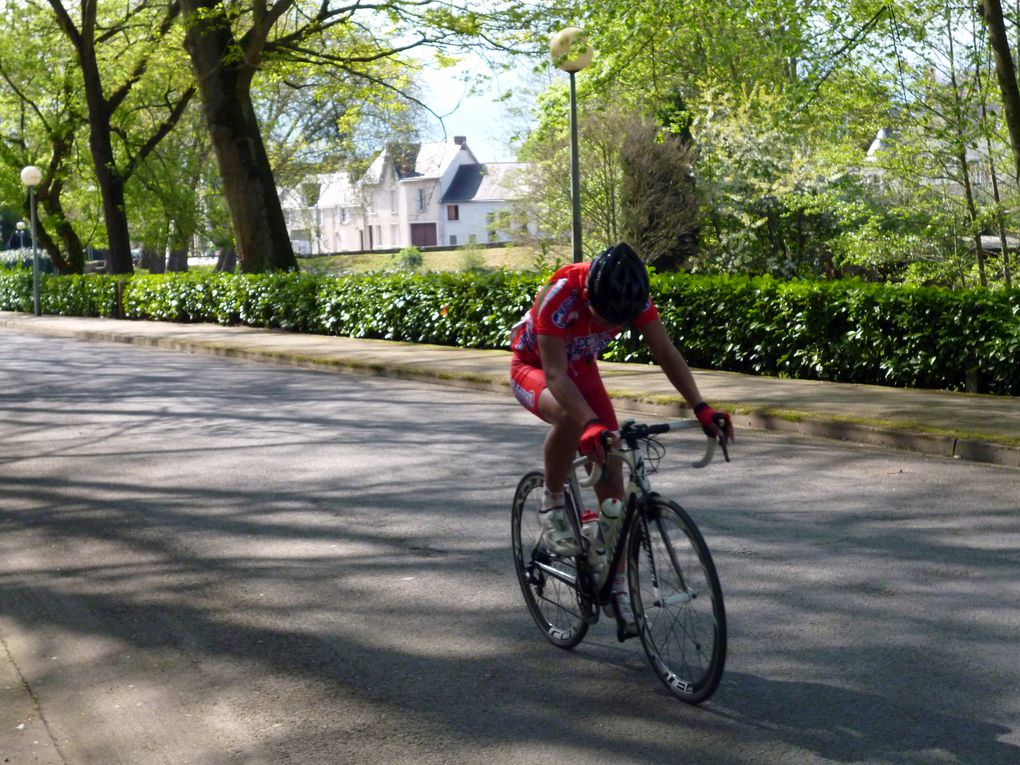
230,40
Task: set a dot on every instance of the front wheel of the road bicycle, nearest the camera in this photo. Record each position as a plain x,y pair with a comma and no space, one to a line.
678,601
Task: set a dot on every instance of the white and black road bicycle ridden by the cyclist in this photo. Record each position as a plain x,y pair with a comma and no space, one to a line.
675,589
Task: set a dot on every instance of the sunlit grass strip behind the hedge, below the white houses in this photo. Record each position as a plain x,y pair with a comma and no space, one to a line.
461,260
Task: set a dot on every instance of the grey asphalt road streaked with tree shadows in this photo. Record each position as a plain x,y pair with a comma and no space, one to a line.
215,562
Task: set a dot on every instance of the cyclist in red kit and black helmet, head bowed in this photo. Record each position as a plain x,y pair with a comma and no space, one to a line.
554,375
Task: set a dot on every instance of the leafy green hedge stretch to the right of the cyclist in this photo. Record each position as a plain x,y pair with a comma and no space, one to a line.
846,331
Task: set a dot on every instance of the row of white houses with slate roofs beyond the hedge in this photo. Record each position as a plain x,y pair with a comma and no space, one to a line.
433,194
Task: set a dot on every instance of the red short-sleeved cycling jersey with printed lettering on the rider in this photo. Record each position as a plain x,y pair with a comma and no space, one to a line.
562,311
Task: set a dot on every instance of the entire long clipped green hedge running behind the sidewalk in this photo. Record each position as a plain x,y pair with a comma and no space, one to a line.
837,331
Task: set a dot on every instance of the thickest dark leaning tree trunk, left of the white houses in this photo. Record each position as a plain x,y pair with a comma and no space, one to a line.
249,187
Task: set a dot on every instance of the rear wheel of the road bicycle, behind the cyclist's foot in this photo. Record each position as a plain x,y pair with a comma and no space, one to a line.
548,582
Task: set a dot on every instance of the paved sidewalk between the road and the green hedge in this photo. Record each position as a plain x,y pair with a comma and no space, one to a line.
967,427
